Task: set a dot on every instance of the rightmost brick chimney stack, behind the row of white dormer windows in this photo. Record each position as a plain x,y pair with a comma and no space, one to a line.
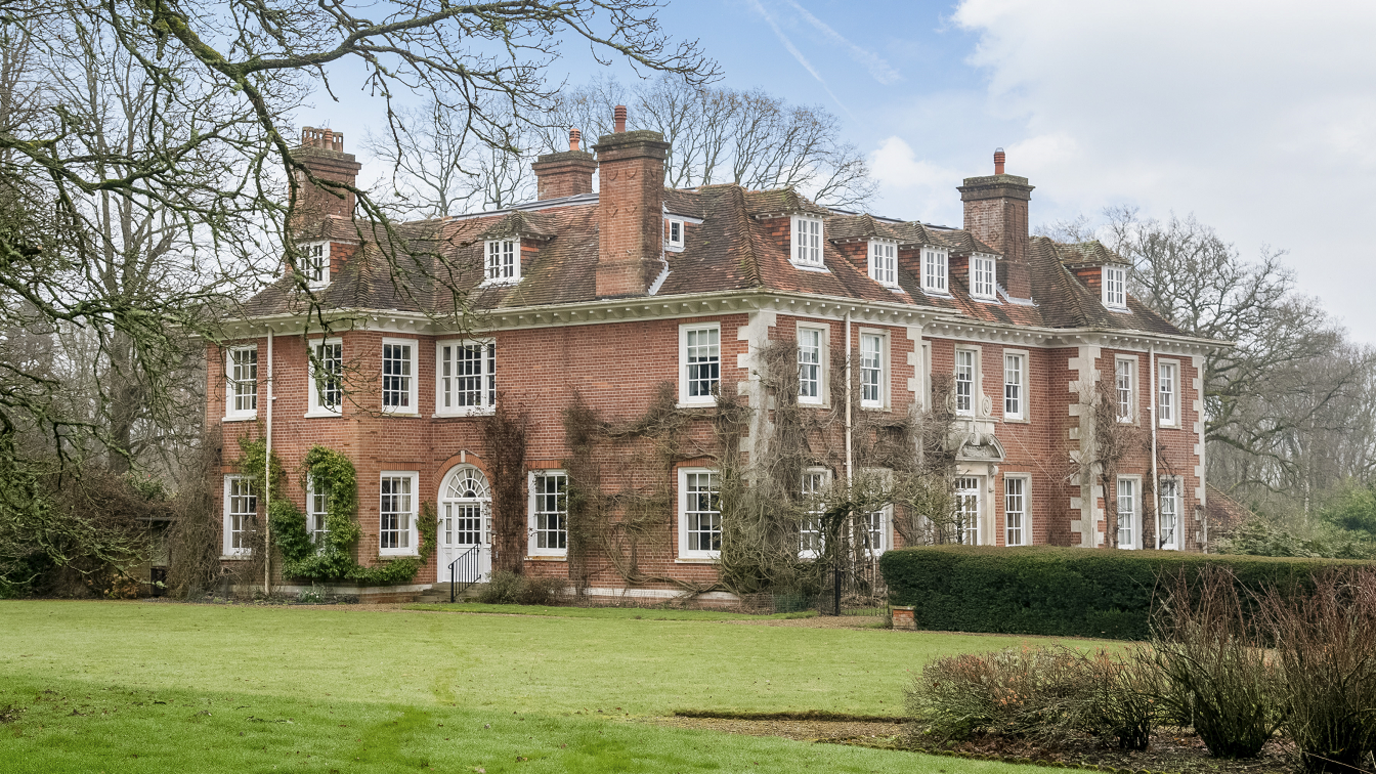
997,214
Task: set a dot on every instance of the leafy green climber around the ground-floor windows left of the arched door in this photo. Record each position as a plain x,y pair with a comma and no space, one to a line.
332,558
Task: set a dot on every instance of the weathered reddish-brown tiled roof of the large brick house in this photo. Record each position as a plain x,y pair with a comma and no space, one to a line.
731,250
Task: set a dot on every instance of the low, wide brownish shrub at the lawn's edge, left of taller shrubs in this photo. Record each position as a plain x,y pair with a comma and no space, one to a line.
1046,695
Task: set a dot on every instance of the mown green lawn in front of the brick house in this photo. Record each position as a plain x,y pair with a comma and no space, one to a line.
155,688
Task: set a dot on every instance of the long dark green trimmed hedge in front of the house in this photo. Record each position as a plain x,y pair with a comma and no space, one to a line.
1060,592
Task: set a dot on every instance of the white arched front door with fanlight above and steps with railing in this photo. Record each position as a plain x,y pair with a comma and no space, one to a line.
466,524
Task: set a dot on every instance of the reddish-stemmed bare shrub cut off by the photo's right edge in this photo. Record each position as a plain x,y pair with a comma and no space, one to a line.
1327,651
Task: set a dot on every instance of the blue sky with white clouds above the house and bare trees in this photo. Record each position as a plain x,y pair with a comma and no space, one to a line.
1257,118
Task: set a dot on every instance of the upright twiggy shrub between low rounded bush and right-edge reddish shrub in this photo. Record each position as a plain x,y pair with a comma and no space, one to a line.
1220,676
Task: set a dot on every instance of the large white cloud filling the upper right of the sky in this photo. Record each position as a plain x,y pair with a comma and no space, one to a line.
1257,118
